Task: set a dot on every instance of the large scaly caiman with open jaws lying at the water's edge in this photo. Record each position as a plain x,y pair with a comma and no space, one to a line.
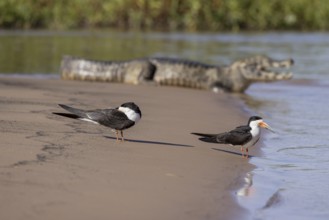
236,77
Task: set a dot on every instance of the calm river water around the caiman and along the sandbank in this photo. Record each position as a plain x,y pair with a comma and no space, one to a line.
290,178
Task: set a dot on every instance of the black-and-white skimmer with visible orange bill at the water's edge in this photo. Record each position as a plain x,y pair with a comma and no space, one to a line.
244,136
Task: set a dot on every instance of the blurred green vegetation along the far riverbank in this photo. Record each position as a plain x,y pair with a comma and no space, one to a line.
189,15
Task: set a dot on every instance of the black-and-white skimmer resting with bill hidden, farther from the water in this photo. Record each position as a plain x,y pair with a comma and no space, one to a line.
119,118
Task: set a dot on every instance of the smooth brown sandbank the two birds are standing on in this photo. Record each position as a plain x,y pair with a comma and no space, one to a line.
53,167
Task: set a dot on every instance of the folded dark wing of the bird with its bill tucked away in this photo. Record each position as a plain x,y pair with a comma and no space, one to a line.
112,118
